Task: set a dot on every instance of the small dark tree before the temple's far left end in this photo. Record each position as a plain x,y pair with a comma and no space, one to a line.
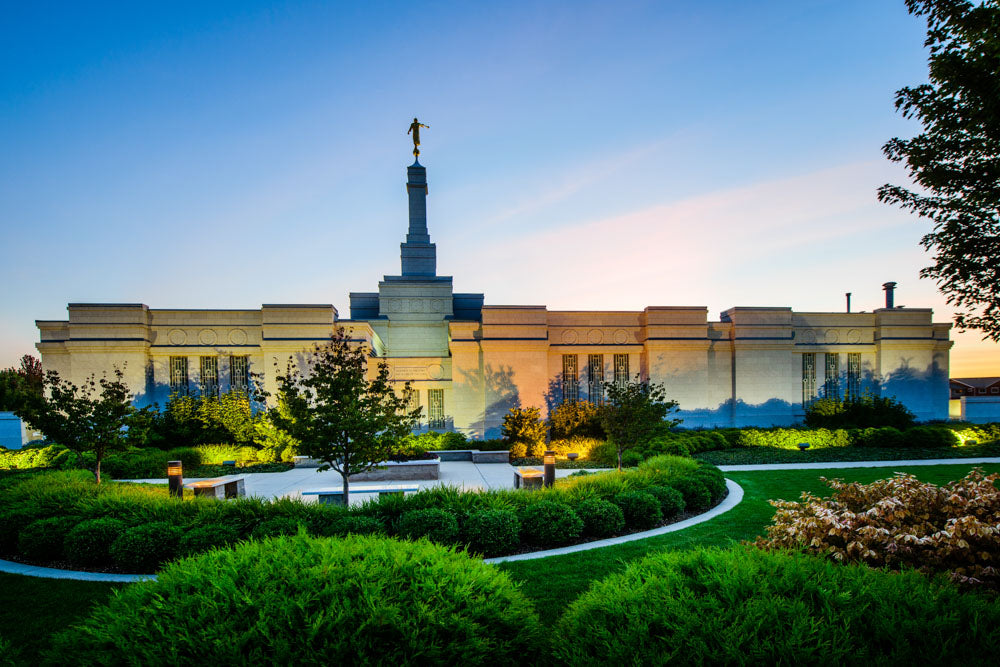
88,418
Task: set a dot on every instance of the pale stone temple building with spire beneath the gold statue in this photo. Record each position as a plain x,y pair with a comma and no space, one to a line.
471,362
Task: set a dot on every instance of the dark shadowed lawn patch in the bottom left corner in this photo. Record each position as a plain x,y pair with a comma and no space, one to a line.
31,609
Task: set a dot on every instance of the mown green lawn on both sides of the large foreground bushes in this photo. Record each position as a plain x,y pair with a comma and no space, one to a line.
32,609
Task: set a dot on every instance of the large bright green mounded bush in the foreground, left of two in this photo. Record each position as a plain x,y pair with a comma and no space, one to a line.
368,600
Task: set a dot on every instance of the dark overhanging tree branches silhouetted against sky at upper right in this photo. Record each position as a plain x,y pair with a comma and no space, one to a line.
956,160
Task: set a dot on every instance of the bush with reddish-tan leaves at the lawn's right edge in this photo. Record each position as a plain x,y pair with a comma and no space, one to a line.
900,522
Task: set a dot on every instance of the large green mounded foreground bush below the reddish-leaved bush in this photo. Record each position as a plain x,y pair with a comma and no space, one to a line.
742,606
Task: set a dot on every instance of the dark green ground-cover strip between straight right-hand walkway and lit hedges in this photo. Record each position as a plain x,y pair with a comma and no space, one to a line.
751,455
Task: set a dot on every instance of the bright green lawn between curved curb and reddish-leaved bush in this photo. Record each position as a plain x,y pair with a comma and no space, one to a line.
555,582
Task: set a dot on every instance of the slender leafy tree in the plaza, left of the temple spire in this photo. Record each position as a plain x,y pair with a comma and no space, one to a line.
340,416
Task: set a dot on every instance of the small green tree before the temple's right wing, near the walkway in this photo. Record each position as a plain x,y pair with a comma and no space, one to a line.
634,413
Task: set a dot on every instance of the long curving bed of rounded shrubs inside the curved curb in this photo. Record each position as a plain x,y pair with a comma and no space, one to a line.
65,516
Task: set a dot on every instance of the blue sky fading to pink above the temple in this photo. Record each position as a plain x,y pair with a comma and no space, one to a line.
580,155
